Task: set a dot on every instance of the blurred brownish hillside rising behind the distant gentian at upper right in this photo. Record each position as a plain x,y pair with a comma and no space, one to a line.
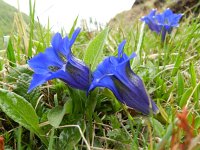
127,18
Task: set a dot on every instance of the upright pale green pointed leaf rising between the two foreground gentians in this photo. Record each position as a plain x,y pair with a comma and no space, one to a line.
94,51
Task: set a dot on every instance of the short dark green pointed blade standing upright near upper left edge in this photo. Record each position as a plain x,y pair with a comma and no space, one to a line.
10,54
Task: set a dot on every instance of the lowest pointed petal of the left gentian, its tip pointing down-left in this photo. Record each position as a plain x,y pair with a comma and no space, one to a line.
37,80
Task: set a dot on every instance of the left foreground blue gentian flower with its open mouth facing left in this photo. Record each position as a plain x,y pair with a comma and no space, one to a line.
58,62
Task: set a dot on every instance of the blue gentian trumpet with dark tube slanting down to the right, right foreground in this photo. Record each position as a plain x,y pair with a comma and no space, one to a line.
115,74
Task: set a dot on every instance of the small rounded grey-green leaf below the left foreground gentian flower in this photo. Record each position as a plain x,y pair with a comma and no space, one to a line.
56,115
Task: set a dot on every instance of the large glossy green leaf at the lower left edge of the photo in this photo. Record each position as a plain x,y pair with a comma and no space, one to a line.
18,109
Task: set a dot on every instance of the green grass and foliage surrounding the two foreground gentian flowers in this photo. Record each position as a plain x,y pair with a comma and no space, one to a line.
57,116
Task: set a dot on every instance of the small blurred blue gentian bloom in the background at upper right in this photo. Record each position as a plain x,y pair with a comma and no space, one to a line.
162,23
